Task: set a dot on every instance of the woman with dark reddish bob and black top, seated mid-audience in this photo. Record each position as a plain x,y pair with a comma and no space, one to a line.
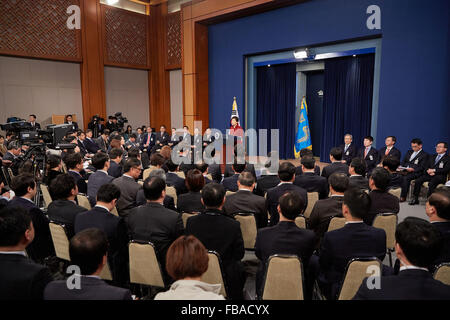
192,201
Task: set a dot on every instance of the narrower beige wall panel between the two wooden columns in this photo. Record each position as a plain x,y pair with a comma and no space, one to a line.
127,92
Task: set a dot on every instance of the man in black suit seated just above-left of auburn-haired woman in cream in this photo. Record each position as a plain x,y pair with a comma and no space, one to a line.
153,222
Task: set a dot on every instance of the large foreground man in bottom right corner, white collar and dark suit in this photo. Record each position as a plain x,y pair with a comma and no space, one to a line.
417,245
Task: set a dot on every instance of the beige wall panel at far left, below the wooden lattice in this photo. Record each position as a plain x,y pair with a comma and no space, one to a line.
40,87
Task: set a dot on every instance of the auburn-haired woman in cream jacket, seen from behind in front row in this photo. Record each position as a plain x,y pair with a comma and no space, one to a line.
186,261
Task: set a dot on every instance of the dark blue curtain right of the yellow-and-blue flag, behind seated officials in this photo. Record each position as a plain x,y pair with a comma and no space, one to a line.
347,103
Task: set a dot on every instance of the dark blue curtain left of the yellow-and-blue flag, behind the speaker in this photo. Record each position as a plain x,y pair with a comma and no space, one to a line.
276,90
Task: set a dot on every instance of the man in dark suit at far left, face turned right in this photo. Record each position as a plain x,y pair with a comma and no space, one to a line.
25,188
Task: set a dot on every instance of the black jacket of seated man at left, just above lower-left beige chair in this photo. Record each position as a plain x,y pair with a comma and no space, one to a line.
65,211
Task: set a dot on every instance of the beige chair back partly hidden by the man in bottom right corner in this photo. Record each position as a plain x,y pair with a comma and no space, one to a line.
357,269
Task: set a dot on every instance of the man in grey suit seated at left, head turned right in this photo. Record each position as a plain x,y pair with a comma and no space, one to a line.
128,186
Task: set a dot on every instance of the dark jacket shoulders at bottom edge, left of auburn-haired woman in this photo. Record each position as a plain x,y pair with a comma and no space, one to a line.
91,289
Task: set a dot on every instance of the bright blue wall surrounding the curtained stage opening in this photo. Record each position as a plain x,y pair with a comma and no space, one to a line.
415,68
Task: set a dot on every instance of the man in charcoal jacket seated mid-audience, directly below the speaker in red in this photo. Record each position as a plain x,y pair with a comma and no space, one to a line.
245,201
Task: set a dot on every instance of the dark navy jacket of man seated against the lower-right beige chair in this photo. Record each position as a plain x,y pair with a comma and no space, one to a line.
355,240
